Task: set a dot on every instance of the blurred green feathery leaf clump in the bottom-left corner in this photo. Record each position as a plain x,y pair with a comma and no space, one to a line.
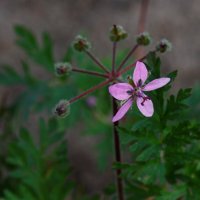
40,170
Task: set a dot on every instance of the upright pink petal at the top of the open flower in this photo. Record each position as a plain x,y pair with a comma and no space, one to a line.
140,73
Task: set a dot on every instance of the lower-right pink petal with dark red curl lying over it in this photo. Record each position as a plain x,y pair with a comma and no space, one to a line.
145,107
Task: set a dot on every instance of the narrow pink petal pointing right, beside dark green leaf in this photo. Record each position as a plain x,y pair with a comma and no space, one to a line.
155,84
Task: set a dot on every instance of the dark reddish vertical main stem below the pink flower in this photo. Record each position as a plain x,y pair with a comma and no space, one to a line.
117,154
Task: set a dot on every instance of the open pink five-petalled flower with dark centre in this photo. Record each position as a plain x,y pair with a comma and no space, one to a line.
135,91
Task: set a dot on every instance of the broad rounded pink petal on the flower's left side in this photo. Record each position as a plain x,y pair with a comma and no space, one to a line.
119,91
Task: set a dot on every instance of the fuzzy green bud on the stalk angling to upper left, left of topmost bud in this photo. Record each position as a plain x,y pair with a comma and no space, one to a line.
81,43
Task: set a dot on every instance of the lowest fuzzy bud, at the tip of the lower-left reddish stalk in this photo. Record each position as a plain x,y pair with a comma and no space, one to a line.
62,109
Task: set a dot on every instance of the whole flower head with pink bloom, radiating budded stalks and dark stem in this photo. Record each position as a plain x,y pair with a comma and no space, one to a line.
121,91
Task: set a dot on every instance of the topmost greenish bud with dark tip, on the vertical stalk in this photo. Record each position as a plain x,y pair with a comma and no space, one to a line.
117,33
